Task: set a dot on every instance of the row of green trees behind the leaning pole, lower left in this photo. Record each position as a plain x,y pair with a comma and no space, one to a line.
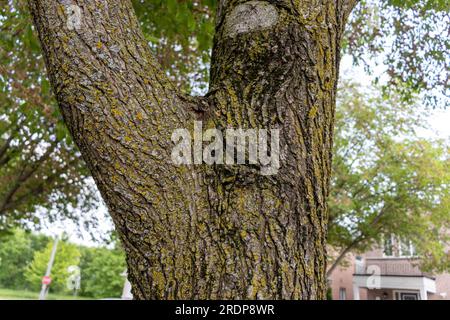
24,257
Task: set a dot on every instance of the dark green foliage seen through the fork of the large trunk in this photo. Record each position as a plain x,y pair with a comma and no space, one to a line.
180,34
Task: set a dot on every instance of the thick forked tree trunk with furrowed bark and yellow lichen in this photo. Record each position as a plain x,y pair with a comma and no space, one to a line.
206,231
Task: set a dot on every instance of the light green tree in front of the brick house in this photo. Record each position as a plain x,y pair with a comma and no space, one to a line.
387,180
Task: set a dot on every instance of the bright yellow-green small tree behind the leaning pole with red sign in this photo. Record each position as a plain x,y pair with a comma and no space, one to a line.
67,254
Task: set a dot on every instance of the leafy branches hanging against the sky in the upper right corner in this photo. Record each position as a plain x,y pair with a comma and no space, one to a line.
412,39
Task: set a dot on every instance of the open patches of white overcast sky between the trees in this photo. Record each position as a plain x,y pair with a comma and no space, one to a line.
439,121
